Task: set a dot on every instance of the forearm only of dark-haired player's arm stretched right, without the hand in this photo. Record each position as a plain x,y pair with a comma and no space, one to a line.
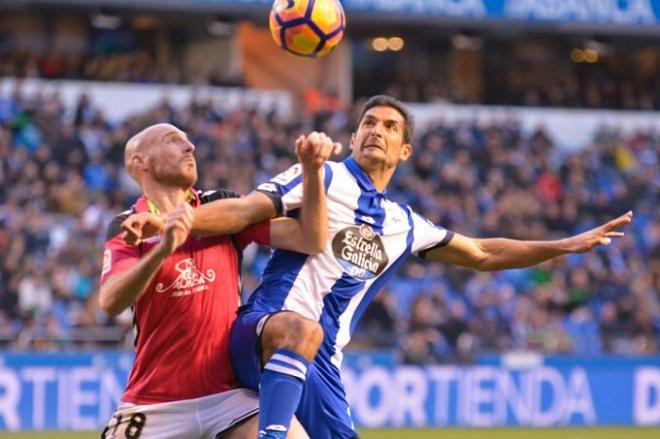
503,253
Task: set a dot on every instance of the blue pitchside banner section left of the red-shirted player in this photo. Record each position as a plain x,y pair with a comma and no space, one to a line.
60,391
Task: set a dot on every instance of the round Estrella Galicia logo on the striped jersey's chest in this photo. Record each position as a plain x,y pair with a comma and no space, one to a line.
360,252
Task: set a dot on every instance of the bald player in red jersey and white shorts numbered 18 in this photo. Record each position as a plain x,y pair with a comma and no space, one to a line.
184,290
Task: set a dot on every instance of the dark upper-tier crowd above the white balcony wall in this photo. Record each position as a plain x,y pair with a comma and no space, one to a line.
574,88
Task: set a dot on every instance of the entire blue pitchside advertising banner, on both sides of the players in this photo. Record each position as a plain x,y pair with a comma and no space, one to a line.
79,391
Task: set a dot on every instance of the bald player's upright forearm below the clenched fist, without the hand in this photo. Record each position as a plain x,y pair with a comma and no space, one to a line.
314,211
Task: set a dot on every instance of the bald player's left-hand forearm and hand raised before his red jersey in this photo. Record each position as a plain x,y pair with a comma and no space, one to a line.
121,290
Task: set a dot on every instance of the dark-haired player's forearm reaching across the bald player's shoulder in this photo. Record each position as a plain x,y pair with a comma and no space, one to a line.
223,217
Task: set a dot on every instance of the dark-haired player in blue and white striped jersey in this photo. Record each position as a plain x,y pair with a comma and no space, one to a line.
288,340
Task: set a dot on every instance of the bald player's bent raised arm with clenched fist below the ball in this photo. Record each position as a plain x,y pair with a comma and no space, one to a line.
309,233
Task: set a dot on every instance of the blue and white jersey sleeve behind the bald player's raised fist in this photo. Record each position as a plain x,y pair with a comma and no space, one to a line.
286,188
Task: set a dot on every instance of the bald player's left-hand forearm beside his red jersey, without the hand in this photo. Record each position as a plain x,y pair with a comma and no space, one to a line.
118,292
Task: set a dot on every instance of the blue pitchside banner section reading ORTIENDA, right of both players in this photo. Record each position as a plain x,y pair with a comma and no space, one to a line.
545,392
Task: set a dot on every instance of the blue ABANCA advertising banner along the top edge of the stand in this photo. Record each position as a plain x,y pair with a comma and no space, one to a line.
596,12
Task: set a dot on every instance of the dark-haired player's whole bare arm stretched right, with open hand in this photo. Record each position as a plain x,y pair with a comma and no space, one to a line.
501,253
